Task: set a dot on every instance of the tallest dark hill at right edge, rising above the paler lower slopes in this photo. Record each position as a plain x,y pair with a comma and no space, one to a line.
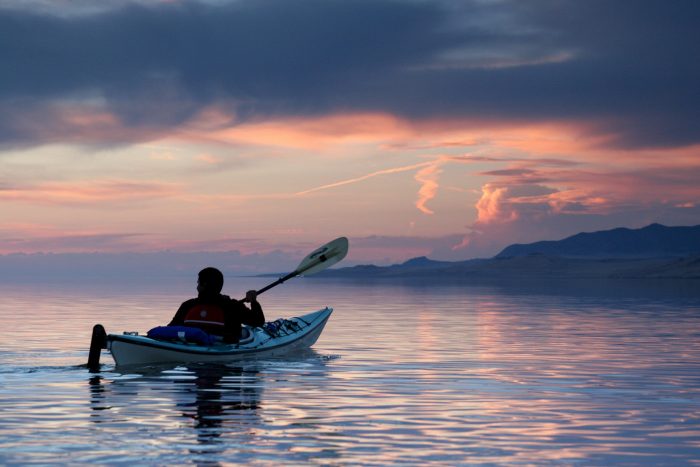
653,241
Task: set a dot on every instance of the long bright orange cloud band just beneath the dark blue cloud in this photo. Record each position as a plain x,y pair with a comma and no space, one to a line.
389,132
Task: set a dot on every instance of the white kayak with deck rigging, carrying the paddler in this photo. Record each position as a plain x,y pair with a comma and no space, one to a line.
280,337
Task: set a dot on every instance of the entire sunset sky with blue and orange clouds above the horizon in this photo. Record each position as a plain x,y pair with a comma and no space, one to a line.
446,128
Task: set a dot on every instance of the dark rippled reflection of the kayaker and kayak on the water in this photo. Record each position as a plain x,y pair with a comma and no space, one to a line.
216,400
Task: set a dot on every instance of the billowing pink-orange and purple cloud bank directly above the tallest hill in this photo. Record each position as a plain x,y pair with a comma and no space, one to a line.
529,201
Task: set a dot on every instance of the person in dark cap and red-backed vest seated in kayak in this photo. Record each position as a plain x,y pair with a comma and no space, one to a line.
218,314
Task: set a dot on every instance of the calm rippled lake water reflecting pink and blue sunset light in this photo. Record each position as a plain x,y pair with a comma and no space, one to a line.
402,375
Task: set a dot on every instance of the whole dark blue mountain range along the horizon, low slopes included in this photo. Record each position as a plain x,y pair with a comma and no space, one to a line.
655,251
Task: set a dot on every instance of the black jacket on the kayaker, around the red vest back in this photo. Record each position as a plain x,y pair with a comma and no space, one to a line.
235,313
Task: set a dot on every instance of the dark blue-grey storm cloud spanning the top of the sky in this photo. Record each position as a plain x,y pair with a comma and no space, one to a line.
628,68
